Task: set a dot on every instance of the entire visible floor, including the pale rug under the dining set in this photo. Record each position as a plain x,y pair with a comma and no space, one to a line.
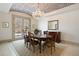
18,48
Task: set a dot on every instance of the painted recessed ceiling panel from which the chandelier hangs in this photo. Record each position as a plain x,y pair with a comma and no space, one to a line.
31,7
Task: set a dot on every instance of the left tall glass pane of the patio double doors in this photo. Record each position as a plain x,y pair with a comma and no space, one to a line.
18,28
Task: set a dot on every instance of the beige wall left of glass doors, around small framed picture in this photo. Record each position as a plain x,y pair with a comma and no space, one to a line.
5,33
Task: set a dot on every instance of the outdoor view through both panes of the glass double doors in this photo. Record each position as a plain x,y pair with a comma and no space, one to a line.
20,24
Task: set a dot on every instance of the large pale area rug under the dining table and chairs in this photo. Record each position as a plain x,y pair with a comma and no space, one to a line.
22,50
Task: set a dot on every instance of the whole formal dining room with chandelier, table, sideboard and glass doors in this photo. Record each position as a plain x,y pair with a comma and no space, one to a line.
39,29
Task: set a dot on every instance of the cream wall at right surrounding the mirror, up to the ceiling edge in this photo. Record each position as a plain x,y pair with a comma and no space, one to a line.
68,22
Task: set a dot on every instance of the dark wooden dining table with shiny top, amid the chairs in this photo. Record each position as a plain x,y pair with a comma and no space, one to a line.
41,38
